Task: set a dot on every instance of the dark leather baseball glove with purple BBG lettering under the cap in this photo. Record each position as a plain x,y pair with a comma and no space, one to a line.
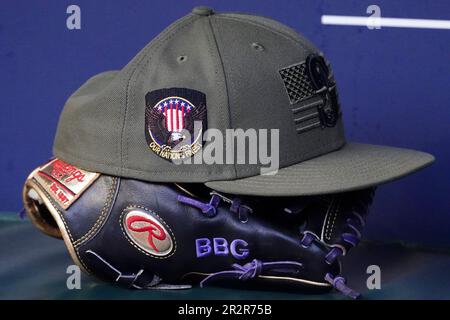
169,236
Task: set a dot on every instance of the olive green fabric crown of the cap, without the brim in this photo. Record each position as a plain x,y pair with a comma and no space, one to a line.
253,74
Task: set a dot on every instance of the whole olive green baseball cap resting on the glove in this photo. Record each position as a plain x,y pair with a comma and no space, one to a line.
226,71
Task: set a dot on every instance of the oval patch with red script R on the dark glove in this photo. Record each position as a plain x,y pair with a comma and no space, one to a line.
147,232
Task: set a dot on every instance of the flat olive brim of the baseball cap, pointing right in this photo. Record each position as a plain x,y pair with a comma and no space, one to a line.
354,166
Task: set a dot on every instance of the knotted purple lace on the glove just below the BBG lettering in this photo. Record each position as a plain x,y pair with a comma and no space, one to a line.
253,269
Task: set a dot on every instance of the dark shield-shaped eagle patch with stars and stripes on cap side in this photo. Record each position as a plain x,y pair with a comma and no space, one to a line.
175,119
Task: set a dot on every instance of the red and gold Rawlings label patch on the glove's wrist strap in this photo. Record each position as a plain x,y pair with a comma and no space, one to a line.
63,182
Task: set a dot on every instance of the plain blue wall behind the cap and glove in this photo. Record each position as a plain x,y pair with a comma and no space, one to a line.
394,86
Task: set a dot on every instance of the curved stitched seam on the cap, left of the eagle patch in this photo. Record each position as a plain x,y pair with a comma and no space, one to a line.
156,43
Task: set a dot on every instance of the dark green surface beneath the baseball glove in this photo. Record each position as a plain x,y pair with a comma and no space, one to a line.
33,266
